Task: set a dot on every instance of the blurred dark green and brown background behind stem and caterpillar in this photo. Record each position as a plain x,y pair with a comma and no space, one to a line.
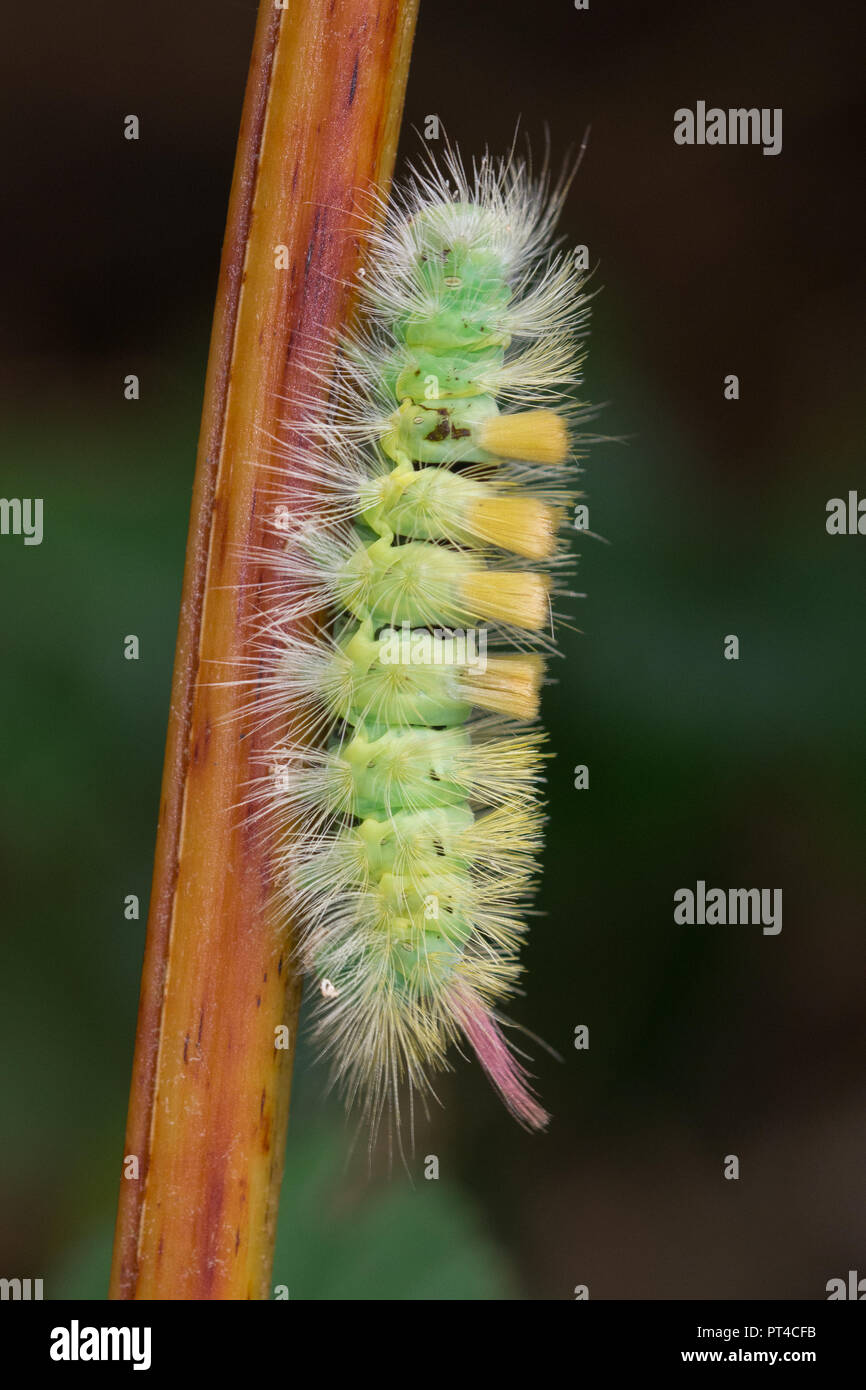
705,1042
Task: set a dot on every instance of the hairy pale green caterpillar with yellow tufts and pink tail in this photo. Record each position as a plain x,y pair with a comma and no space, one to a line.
411,625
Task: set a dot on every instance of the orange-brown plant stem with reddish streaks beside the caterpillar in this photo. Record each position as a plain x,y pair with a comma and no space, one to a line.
211,1090
